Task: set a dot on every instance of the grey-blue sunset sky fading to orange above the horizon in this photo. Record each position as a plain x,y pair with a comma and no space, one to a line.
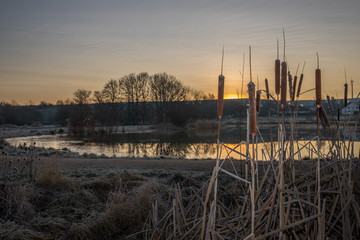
49,48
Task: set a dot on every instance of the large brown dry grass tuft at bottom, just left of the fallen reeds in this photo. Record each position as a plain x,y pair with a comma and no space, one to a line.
124,213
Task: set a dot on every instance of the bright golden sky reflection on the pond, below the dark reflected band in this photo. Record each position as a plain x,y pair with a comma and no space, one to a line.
170,149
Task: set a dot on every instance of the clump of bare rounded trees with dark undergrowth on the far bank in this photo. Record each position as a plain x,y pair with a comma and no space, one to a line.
132,99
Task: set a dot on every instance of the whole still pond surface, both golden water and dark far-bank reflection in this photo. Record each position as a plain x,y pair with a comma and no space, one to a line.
178,145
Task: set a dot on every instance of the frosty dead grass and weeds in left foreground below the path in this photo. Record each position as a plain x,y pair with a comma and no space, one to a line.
82,204
